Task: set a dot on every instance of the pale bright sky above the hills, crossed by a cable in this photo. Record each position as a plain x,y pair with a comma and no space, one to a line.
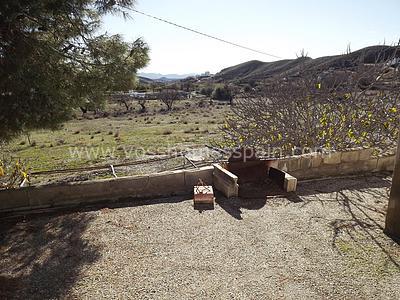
280,27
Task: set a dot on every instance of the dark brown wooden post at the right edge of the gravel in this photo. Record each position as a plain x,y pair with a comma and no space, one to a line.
392,227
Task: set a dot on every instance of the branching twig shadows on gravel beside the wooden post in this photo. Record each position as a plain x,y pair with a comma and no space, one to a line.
364,205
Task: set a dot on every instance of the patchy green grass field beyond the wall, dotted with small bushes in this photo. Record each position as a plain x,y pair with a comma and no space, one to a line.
121,136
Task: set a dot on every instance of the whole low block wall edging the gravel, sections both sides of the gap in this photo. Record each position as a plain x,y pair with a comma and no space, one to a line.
315,165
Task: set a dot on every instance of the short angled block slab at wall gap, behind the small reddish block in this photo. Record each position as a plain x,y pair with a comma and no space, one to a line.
225,181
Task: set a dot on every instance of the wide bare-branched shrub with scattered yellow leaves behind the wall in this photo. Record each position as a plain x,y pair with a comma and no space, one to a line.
334,109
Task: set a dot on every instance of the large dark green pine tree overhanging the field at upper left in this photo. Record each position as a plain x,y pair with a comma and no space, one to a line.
53,58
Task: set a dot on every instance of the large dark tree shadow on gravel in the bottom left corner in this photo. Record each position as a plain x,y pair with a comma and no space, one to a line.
41,258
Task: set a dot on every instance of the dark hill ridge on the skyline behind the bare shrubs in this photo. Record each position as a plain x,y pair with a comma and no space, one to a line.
257,70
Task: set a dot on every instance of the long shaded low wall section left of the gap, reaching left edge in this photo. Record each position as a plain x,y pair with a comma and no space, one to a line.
79,193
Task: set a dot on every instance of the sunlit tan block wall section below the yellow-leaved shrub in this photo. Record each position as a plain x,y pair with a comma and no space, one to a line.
353,161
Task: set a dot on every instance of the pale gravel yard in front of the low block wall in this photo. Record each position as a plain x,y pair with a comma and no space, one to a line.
324,242
